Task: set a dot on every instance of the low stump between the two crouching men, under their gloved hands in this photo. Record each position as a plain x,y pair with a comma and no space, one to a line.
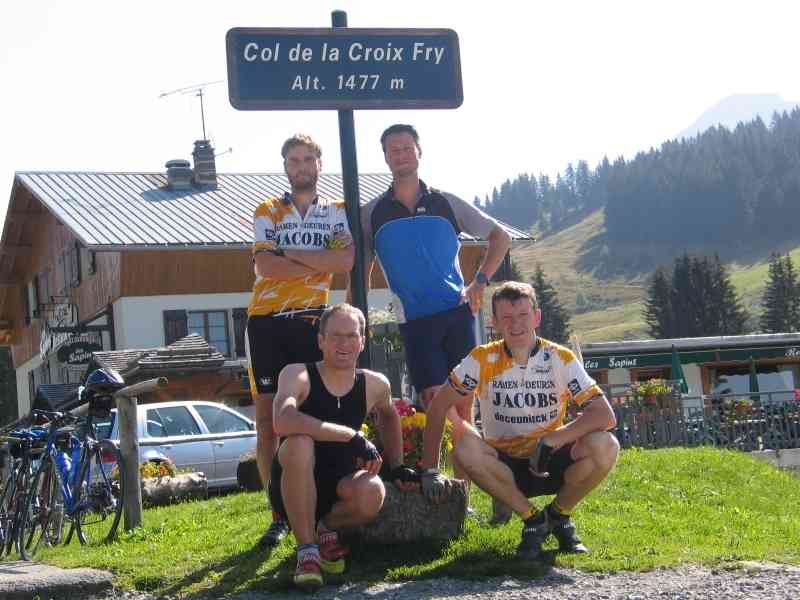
409,517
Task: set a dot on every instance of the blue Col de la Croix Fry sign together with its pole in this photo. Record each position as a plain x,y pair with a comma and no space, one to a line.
344,69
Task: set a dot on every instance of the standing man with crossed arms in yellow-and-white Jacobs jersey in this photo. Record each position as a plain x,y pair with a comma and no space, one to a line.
300,240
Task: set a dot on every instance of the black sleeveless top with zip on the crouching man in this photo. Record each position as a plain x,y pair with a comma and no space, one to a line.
349,410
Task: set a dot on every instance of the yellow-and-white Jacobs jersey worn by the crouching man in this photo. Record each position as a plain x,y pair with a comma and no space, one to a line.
521,403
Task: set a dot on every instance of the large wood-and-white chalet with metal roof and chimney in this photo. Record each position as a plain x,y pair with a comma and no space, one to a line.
97,262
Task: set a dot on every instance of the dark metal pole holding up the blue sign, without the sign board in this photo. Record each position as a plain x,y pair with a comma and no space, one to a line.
347,143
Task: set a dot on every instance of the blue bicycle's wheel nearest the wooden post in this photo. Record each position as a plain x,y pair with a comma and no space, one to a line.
100,495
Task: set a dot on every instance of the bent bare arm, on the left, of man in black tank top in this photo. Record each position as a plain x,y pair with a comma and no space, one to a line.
293,389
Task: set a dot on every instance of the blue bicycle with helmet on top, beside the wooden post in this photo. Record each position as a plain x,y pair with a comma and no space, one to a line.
79,478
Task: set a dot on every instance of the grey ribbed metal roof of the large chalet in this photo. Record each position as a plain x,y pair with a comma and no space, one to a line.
115,211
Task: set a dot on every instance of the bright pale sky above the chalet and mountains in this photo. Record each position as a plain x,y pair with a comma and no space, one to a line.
545,83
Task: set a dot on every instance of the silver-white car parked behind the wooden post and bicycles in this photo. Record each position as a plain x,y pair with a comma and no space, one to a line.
195,435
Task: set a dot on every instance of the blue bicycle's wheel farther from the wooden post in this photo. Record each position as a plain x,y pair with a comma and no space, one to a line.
35,526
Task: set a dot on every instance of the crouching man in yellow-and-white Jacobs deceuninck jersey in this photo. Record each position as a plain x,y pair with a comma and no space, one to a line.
524,384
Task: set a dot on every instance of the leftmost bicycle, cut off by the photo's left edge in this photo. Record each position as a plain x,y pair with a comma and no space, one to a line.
25,448
